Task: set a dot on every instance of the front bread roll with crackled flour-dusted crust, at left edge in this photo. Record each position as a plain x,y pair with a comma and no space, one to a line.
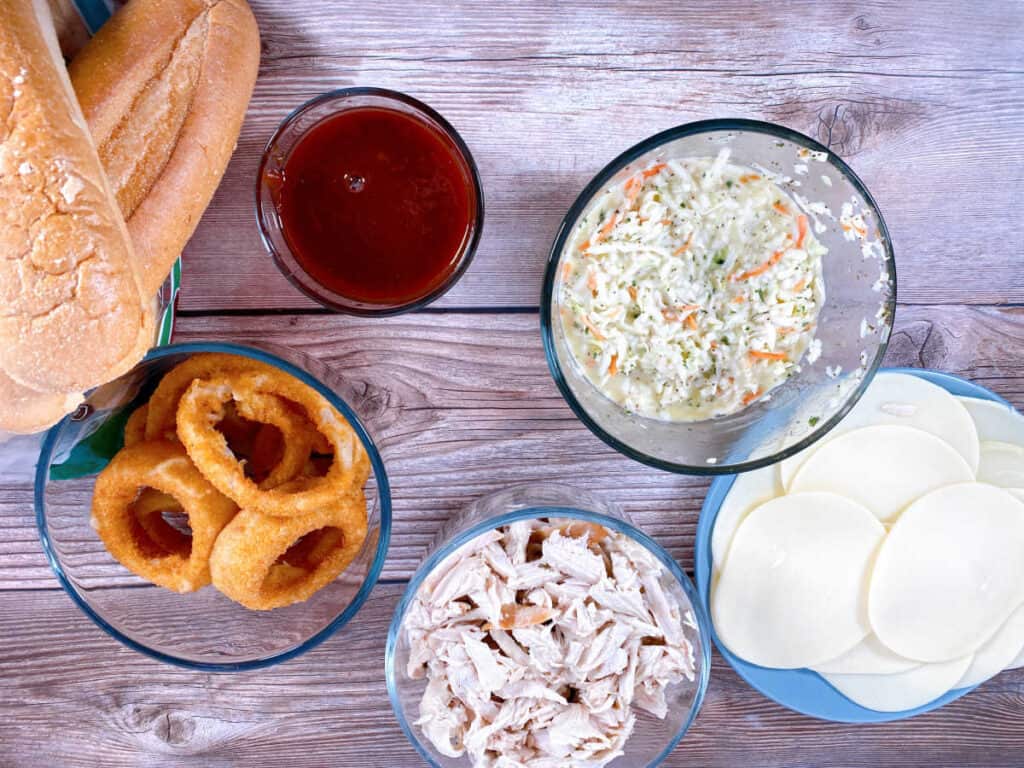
72,310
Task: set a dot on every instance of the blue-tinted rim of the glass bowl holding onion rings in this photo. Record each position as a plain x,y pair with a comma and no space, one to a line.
373,574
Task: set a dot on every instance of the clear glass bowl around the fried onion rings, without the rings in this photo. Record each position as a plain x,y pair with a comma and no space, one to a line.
203,630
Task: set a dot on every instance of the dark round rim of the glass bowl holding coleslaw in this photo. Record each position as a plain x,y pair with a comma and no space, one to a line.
595,186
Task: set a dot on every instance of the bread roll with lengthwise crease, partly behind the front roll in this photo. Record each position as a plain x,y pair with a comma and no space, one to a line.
164,87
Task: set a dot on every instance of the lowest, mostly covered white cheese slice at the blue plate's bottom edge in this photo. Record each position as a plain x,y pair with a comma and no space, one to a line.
905,691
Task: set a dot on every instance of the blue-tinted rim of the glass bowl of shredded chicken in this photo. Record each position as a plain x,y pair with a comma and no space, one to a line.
543,510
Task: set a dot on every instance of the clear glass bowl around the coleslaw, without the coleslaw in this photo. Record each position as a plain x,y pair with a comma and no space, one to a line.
855,324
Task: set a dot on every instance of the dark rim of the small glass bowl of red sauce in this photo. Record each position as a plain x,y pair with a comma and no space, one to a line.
470,249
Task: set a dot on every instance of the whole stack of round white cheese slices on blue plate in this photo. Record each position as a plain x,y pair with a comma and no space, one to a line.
889,558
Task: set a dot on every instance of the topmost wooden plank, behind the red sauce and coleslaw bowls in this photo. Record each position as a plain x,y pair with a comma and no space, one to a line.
923,101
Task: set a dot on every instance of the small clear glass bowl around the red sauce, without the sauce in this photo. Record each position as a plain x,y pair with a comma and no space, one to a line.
292,131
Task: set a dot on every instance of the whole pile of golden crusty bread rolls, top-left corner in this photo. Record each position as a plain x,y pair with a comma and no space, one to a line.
105,170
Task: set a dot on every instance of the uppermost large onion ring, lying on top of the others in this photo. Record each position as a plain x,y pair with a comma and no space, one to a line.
200,409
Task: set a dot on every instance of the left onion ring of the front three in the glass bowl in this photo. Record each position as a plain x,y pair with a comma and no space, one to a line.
165,467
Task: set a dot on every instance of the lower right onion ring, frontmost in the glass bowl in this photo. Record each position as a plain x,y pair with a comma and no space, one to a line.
268,563
